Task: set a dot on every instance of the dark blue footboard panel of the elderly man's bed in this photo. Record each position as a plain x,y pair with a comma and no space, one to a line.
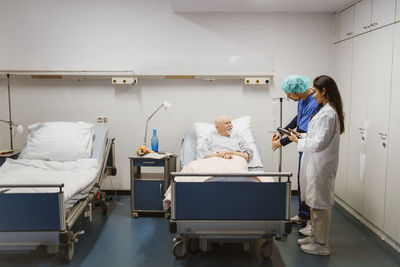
231,201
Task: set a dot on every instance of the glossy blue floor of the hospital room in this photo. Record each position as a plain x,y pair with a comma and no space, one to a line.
119,240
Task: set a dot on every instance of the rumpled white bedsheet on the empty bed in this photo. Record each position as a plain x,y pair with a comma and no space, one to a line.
75,175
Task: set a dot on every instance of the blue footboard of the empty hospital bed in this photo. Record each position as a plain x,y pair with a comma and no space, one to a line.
30,219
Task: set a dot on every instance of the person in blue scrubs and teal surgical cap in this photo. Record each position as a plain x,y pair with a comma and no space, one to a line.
298,88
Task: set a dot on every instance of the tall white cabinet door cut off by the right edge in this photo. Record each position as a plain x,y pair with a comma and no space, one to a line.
392,210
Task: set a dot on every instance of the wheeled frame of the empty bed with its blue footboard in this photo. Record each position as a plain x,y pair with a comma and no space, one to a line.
32,219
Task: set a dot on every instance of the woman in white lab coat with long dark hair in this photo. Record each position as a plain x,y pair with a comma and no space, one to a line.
320,147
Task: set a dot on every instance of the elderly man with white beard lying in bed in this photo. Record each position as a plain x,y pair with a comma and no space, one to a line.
224,144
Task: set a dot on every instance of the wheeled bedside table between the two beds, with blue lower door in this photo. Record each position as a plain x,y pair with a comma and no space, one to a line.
147,189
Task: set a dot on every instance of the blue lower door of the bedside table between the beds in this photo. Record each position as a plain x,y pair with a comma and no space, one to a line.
148,195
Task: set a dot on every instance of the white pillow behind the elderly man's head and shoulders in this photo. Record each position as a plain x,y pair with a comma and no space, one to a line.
241,127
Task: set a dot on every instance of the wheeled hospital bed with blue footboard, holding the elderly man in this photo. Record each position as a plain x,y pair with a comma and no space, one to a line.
231,208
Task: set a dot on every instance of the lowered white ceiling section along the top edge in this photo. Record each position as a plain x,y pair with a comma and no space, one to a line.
255,6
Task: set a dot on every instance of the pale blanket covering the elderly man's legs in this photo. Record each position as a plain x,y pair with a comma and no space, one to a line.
212,165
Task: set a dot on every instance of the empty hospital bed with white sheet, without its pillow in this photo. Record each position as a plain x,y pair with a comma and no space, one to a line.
36,213
